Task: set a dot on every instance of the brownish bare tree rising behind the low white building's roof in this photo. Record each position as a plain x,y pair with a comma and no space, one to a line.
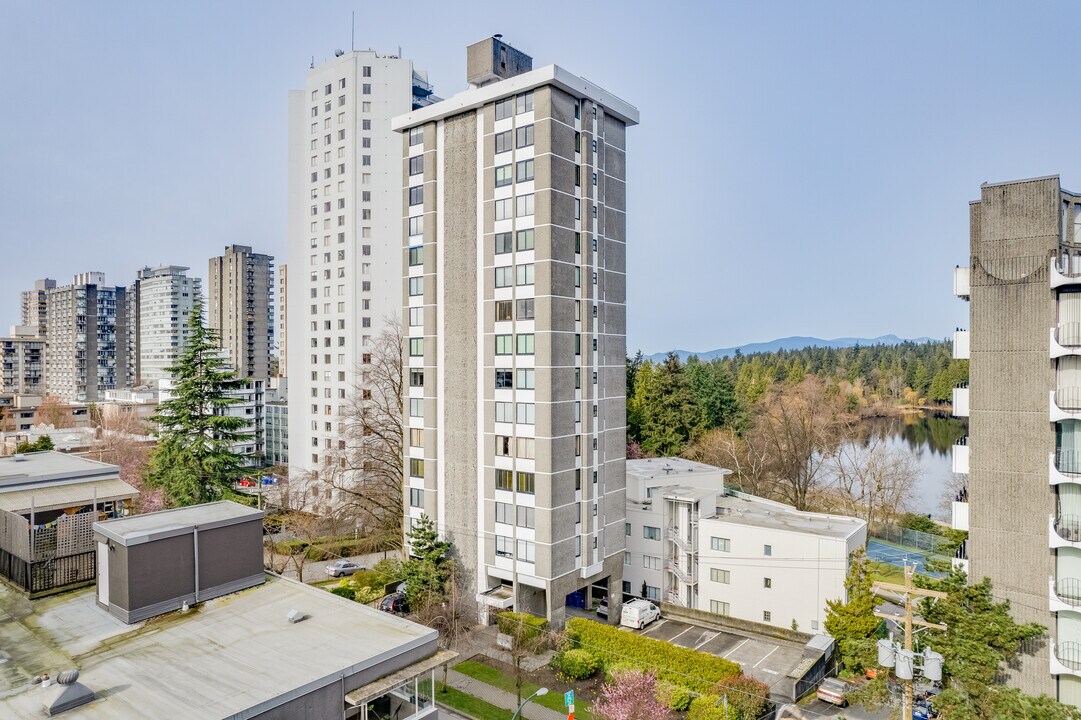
802,428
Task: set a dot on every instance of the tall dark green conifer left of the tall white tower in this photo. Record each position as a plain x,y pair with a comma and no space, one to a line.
194,460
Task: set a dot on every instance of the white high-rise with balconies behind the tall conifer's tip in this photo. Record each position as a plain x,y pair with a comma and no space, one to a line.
166,298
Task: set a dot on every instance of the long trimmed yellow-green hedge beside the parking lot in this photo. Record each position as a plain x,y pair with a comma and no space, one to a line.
682,666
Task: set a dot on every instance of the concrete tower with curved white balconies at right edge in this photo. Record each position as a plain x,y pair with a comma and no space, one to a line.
1023,456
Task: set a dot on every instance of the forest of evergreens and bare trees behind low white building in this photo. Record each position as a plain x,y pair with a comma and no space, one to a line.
789,424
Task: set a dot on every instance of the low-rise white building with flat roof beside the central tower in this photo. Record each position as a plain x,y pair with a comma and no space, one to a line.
692,543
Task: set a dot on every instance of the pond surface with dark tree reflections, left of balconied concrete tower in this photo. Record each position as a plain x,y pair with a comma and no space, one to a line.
930,437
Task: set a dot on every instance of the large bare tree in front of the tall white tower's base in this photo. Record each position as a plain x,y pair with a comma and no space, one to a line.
367,470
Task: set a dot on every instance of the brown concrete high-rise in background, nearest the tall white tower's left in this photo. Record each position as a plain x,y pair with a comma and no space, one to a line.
241,309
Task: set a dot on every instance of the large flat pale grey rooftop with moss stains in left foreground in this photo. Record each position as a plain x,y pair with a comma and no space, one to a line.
229,656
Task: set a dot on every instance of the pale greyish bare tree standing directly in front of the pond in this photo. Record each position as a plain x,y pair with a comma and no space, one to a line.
874,481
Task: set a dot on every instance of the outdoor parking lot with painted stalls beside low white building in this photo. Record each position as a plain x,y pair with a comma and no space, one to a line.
764,660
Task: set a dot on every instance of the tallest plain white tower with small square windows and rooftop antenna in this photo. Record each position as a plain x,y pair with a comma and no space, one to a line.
345,180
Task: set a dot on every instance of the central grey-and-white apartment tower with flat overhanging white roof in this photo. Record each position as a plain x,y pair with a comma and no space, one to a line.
515,290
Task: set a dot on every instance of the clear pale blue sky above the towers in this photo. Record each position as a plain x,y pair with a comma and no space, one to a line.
802,168
